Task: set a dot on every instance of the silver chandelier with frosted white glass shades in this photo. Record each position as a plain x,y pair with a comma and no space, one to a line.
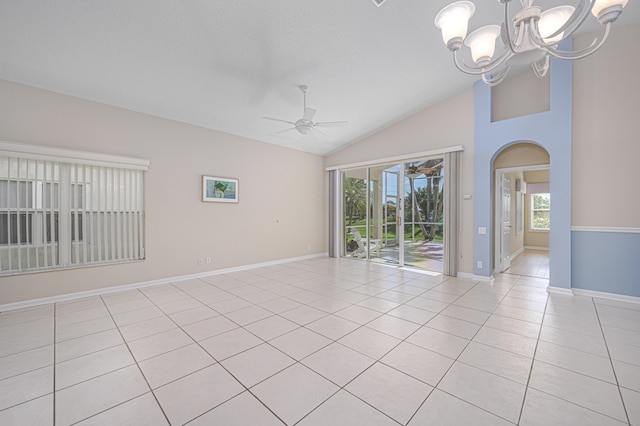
534,37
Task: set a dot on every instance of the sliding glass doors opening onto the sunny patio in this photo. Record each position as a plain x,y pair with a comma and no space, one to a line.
394,214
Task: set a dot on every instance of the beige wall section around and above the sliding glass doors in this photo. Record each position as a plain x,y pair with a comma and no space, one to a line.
449,123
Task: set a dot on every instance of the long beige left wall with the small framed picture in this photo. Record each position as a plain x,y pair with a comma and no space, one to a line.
282,207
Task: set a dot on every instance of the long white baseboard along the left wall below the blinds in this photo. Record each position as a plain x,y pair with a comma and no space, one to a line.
169,280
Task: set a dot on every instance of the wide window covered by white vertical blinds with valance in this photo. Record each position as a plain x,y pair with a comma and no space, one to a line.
69,212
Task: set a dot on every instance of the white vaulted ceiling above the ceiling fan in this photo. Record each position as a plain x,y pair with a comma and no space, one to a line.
223,64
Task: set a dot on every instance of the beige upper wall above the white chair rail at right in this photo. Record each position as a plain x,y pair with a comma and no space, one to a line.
605,150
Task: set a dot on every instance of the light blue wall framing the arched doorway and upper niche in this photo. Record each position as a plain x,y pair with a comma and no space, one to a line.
550,130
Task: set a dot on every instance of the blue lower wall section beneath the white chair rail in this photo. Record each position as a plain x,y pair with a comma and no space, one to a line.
606,262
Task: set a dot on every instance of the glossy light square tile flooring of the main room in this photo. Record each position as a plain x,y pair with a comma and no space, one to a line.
324,342
